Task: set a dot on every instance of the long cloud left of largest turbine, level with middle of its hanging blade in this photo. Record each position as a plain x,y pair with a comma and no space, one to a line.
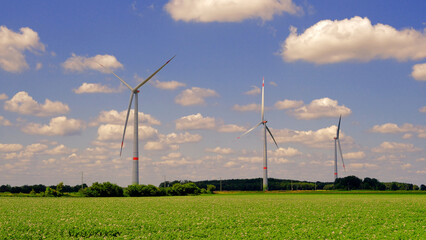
58,126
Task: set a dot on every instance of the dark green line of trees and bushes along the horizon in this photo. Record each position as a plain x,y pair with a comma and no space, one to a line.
182,188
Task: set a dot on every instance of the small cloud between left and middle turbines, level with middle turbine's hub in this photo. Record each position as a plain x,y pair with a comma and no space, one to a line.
195,121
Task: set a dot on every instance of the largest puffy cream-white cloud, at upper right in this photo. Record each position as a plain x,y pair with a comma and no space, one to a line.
353,39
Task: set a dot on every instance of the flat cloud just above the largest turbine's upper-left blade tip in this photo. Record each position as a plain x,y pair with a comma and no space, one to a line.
79,64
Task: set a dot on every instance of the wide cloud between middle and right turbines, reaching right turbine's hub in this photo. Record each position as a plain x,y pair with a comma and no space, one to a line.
321,138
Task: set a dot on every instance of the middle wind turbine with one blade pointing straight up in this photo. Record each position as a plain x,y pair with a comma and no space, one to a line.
265,128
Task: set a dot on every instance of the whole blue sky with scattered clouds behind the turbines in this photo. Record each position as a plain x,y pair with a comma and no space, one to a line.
61,114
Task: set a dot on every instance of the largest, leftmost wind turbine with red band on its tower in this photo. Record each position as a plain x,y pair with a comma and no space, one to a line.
134,94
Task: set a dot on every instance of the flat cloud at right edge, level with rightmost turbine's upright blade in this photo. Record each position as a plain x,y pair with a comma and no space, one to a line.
406,128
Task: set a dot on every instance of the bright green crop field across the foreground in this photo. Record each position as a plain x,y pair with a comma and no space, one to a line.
219,216
